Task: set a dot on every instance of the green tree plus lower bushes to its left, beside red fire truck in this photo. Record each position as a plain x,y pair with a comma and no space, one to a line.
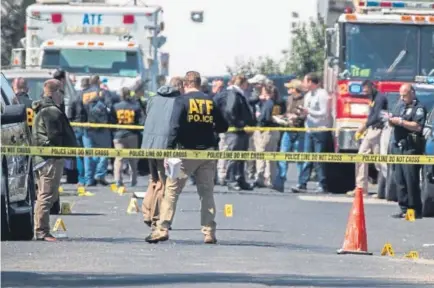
306,54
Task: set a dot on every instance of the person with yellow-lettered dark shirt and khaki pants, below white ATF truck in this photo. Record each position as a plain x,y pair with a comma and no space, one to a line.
126,112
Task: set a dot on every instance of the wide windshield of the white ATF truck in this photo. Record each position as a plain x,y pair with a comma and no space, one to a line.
103,62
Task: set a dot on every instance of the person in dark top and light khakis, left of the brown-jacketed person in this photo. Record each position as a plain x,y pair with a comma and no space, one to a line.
266,141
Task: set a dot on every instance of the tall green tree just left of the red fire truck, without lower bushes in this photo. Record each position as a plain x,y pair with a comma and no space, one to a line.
307,51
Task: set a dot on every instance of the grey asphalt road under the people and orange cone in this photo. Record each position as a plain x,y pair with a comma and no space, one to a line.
273,239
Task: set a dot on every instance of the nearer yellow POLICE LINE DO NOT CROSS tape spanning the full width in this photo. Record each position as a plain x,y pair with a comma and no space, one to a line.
215,155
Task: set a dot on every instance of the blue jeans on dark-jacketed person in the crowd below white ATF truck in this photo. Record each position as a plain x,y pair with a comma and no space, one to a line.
95,167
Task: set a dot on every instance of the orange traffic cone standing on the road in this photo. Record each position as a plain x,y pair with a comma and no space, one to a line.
355,237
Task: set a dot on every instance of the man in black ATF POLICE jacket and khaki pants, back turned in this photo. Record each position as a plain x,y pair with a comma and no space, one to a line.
193,123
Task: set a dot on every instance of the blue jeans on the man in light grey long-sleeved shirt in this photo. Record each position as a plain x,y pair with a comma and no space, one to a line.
314,142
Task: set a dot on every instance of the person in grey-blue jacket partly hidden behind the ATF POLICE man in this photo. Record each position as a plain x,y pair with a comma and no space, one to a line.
156,134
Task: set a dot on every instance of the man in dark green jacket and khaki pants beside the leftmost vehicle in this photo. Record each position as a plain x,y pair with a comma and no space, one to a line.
51,128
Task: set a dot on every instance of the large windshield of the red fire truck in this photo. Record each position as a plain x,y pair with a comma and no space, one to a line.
388,52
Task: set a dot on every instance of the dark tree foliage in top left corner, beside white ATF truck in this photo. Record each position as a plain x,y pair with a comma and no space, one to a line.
13,18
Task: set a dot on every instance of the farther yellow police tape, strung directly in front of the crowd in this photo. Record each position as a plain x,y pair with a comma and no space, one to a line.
231,129
